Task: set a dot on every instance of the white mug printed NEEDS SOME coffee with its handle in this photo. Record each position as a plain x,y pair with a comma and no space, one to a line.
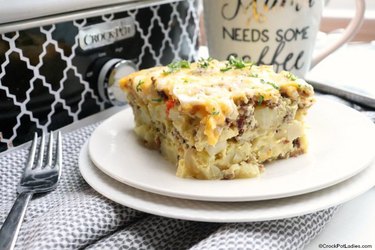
278,32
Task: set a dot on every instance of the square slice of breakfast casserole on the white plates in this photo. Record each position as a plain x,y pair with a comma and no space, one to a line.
219,119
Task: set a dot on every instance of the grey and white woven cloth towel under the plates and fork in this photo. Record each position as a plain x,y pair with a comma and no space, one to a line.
75,216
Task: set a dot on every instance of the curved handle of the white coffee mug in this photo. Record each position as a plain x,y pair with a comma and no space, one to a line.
349,33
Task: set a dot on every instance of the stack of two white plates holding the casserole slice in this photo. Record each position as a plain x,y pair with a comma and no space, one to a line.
338,167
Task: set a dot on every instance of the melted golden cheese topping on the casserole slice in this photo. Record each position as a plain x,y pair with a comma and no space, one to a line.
213,92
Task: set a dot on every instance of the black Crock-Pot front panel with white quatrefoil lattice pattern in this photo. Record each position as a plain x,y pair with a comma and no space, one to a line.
46,76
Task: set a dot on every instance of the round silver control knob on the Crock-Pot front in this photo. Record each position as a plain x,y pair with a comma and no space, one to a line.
109,78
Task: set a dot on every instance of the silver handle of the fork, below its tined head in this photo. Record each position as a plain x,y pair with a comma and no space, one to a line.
12,224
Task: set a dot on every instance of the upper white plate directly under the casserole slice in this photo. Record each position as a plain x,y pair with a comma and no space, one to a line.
341,145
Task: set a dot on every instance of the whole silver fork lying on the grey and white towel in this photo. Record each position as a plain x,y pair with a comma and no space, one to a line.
37,178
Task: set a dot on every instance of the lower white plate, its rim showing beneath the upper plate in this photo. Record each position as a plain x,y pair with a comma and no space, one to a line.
224,211
